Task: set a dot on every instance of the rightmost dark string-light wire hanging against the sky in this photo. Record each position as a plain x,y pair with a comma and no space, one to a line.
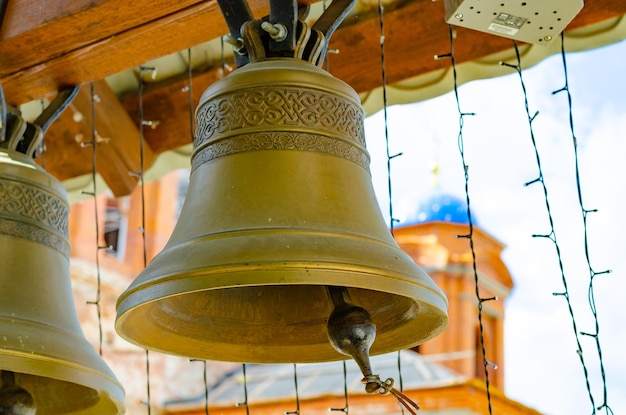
585,212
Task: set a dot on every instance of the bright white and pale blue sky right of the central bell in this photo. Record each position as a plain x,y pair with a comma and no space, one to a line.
542,368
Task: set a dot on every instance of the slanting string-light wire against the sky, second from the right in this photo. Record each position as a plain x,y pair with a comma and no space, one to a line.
552,234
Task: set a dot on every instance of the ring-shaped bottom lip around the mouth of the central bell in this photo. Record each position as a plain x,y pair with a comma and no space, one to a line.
431,301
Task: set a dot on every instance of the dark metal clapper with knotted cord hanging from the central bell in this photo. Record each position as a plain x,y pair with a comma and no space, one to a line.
351,331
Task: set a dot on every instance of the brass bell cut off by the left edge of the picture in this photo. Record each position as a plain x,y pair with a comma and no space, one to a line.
45,359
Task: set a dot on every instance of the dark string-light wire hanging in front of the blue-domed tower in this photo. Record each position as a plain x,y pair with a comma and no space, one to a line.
470,235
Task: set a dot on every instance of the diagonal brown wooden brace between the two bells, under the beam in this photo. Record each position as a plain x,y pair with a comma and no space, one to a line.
117,141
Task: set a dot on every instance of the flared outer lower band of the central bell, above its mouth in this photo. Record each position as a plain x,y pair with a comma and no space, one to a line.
353,257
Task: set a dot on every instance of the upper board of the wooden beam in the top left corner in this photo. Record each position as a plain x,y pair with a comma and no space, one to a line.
32,35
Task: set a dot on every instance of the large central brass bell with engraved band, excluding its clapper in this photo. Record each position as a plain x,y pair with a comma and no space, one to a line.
280,205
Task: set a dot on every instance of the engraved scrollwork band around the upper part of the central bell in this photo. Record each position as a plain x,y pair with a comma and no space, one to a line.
280,118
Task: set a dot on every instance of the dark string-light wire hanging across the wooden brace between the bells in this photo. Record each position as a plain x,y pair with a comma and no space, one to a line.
93,98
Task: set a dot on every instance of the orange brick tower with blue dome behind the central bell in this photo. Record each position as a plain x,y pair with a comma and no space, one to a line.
432,240
